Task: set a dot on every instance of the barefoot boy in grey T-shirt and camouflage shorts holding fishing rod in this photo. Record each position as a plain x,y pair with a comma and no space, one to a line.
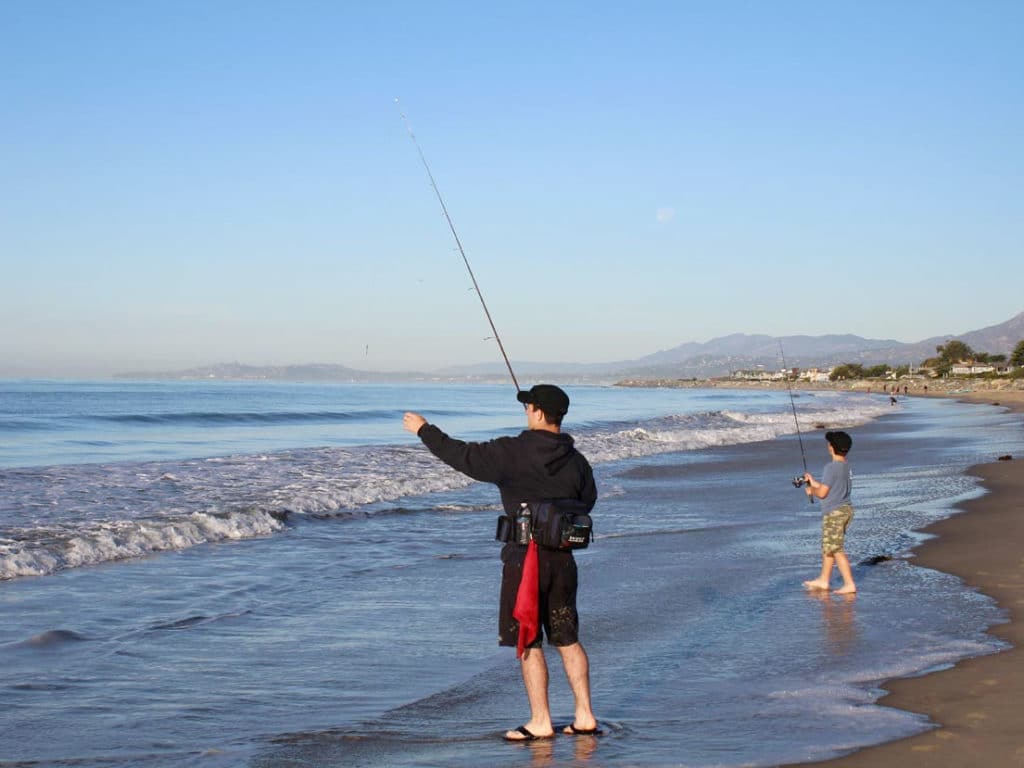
834,490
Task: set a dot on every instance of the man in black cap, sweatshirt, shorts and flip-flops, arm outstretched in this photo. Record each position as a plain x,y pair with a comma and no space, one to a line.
539,464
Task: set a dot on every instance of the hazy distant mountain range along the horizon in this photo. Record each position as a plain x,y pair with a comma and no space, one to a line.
716,358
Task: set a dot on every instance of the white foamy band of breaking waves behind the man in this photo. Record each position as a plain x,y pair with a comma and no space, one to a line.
87,515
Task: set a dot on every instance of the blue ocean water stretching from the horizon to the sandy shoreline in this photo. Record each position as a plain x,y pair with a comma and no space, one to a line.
277,575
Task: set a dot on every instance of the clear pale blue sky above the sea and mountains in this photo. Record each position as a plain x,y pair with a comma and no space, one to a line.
185,184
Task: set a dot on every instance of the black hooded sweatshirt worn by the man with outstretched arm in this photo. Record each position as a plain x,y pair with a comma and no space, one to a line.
536,465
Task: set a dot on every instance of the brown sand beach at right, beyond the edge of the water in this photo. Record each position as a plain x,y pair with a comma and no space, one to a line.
976,705
